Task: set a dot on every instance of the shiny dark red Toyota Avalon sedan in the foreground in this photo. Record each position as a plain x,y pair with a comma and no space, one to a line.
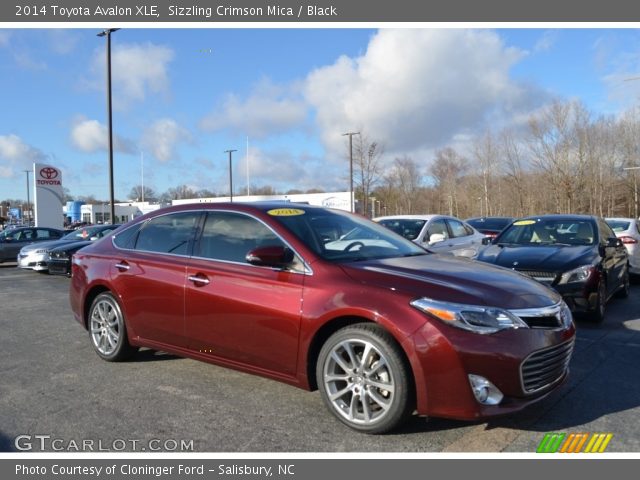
381,327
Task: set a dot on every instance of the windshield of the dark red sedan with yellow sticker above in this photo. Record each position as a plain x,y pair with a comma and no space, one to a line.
343,237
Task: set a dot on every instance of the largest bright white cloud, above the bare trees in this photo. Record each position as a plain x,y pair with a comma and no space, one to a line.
416,89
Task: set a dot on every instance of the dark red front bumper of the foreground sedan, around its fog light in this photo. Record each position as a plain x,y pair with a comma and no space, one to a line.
446,356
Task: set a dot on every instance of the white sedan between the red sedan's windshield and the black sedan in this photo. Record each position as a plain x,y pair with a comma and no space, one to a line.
438,233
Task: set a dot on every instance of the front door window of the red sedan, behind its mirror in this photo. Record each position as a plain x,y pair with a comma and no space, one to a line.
230,236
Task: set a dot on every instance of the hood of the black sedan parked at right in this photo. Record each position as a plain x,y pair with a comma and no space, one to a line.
545,258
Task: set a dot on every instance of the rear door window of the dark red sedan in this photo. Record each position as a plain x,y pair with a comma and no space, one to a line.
172,233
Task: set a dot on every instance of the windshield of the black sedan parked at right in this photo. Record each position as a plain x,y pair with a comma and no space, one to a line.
543,231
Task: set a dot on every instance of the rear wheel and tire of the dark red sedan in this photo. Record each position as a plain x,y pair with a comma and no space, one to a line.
107,329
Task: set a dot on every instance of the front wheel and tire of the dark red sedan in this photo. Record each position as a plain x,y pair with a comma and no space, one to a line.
383,379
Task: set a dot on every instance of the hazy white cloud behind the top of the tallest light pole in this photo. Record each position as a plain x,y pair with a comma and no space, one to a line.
136,69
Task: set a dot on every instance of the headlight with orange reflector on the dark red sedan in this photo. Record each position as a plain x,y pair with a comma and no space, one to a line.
477,319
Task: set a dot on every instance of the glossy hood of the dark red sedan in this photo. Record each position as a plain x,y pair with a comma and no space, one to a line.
452,279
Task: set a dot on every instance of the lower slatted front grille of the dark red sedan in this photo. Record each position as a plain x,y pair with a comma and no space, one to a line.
545,367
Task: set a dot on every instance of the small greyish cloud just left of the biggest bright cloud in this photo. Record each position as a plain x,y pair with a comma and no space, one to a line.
270,109
